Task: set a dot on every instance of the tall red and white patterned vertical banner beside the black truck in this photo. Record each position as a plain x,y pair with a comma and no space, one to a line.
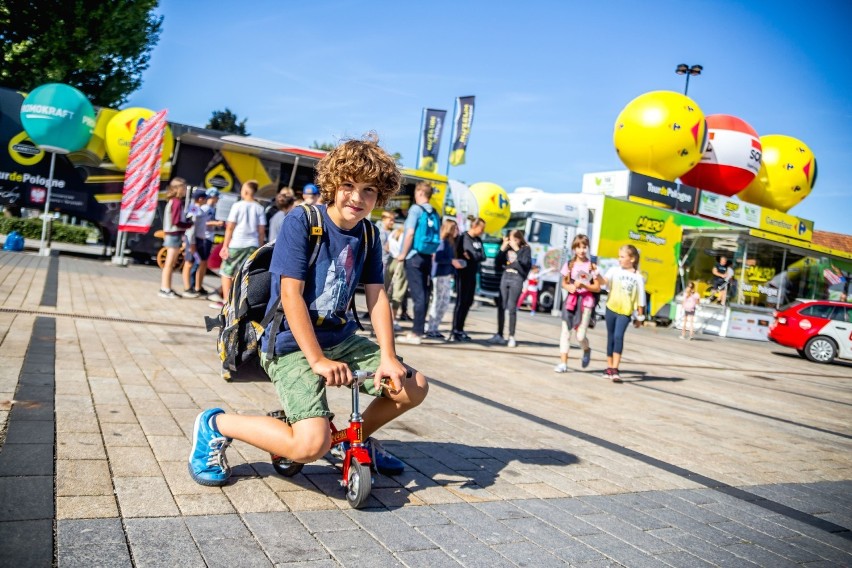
142,177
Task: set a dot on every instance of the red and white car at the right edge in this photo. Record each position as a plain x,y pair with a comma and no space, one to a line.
820,330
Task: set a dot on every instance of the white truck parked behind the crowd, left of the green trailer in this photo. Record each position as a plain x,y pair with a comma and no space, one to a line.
550,221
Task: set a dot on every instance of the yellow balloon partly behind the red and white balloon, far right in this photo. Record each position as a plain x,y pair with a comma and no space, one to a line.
787,174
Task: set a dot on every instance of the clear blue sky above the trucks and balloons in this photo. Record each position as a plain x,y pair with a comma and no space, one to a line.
549,77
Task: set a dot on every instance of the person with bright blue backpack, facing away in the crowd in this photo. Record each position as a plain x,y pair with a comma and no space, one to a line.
420,241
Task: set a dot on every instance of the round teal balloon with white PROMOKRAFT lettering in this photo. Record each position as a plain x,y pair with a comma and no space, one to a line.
58,118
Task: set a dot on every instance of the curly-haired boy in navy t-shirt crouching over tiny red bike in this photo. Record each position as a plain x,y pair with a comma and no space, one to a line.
315,346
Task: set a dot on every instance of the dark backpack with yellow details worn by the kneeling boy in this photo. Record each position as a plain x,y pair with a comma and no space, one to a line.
244,316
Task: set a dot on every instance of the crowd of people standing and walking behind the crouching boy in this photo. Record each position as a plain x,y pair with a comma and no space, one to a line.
425,259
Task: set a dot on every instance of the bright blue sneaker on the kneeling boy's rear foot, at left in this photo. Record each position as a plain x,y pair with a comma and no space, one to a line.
207,462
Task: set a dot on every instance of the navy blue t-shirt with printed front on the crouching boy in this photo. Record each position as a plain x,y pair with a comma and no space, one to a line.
329,284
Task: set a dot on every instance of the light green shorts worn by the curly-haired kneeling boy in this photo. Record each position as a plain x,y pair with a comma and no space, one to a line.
302,392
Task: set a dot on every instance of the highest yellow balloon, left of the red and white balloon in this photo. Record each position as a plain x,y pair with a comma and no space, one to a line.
661,134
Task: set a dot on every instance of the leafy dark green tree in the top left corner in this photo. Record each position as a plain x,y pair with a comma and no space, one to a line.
101,48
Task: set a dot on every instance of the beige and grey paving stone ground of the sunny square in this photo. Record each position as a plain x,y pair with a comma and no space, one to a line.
712,453
